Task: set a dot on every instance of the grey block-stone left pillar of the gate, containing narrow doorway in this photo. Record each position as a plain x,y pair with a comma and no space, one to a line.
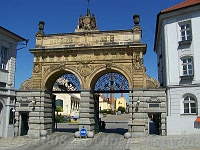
38,105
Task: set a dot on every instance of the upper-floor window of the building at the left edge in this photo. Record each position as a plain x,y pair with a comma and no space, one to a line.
3,57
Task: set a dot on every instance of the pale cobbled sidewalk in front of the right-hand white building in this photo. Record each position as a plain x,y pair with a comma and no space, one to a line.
155,142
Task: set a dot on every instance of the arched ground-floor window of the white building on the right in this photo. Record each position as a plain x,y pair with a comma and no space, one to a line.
190,105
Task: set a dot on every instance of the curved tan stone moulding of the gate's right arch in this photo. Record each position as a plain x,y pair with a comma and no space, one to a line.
92,79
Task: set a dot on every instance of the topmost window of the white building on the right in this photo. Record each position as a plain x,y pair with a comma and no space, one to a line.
185,29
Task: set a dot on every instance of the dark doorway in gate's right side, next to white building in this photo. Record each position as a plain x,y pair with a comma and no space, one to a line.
154,123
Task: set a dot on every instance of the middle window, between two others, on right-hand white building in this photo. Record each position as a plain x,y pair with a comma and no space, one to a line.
187,66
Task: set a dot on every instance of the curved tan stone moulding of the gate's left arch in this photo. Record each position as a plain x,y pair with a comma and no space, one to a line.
50,79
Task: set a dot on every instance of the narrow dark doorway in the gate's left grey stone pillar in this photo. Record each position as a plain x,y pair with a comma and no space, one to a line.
24,123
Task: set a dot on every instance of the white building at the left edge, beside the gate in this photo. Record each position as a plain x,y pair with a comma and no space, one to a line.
8,44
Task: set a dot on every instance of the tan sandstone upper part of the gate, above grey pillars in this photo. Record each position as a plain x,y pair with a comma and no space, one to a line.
87,53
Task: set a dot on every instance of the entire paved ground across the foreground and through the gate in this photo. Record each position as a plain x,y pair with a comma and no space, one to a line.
111,139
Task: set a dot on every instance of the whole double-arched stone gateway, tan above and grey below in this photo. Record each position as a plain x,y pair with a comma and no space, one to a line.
87,55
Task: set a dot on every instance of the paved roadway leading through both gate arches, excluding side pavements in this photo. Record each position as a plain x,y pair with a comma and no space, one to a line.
110,138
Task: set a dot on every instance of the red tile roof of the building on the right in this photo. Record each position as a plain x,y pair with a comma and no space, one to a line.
182,5
